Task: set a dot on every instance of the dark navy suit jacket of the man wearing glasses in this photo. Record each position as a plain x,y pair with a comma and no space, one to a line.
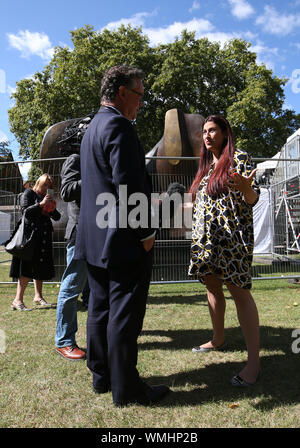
111,155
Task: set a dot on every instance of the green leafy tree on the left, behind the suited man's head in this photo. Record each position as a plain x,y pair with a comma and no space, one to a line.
69,86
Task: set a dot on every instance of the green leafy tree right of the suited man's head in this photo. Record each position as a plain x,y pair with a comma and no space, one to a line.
200,76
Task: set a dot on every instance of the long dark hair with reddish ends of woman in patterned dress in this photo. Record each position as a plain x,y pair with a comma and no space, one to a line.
218,180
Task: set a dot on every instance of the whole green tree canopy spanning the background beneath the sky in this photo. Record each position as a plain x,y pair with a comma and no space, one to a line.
194,75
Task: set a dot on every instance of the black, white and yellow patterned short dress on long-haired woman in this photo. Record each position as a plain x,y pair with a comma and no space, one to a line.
222,231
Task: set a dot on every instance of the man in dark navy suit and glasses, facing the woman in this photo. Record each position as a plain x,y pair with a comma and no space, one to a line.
119,257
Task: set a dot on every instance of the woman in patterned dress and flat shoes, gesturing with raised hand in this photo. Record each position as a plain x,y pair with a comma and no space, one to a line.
224,193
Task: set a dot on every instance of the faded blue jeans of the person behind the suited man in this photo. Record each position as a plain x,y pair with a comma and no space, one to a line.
72,284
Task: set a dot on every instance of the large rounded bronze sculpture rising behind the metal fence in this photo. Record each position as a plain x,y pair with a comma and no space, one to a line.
182,138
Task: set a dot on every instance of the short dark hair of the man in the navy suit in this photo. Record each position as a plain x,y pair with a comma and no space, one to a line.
119,75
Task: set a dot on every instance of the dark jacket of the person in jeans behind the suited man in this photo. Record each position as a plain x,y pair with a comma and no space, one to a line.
70,191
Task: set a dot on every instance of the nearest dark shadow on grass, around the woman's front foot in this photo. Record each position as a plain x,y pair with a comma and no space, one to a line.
278,385
